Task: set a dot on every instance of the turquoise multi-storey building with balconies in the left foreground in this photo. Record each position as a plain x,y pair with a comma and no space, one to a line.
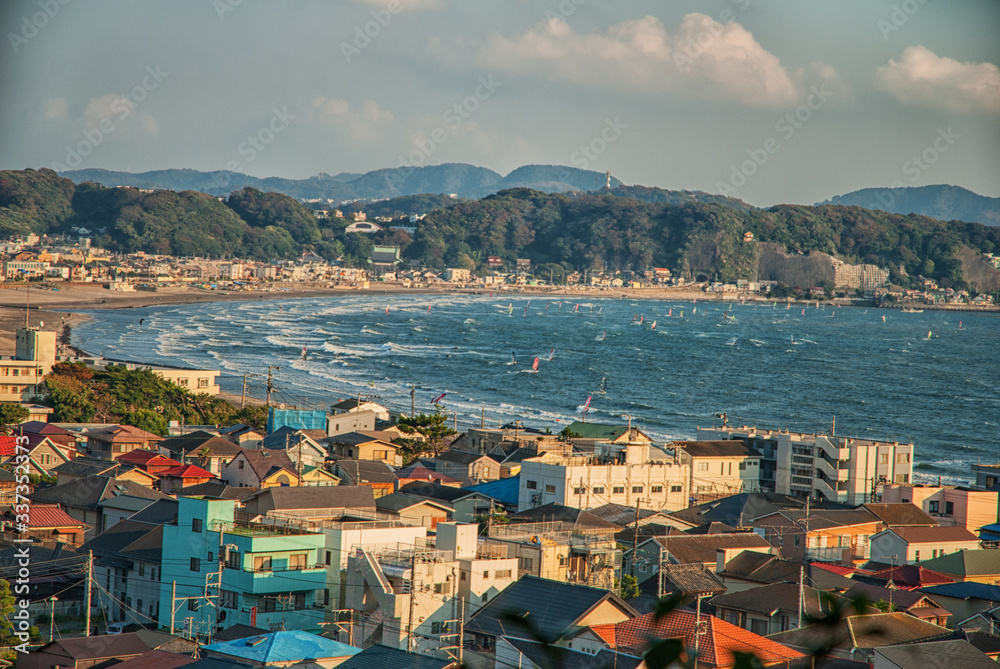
271,575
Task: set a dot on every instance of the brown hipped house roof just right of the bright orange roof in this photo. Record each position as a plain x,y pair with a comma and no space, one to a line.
855,637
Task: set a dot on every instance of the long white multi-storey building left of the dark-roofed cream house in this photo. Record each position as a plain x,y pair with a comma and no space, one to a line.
627,475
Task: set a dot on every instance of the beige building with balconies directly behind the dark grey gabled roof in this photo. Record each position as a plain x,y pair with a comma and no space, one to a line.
558,550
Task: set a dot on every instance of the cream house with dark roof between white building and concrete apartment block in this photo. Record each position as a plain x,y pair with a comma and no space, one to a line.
718,468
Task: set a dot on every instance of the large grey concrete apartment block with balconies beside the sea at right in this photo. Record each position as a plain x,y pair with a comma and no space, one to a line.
838,469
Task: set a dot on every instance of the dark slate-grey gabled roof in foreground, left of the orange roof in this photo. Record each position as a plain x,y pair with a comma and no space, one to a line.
548,608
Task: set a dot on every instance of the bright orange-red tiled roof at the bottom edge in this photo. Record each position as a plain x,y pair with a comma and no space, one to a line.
717,644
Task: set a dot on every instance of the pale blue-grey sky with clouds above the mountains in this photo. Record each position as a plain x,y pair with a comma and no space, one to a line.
770,101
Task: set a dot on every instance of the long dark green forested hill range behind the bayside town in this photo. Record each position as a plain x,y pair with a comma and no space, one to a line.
557,232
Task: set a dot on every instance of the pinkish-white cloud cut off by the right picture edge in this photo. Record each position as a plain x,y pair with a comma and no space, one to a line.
923,79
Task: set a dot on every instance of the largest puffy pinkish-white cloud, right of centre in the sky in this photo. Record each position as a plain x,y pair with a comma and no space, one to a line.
703,59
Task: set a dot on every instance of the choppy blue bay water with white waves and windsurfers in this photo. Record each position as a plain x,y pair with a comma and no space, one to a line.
918,378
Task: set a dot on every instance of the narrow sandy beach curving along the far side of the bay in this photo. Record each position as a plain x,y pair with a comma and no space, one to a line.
66,303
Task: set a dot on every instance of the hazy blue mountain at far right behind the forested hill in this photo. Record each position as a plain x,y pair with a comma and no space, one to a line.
943,202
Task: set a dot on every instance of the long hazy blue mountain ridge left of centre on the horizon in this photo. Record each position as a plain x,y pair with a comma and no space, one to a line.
463,180
